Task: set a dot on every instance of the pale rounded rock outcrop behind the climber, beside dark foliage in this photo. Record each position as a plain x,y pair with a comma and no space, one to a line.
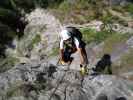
40,34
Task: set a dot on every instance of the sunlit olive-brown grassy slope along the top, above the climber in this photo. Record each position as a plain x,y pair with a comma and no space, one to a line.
83,11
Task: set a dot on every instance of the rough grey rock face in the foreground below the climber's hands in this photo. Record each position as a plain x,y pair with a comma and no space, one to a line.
39,80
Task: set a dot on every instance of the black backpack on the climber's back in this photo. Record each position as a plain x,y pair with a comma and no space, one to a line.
74,32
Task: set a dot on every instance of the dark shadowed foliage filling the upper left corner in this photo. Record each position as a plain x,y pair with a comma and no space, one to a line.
11,12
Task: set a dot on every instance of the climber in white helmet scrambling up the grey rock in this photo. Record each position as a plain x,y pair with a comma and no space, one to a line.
71,41
